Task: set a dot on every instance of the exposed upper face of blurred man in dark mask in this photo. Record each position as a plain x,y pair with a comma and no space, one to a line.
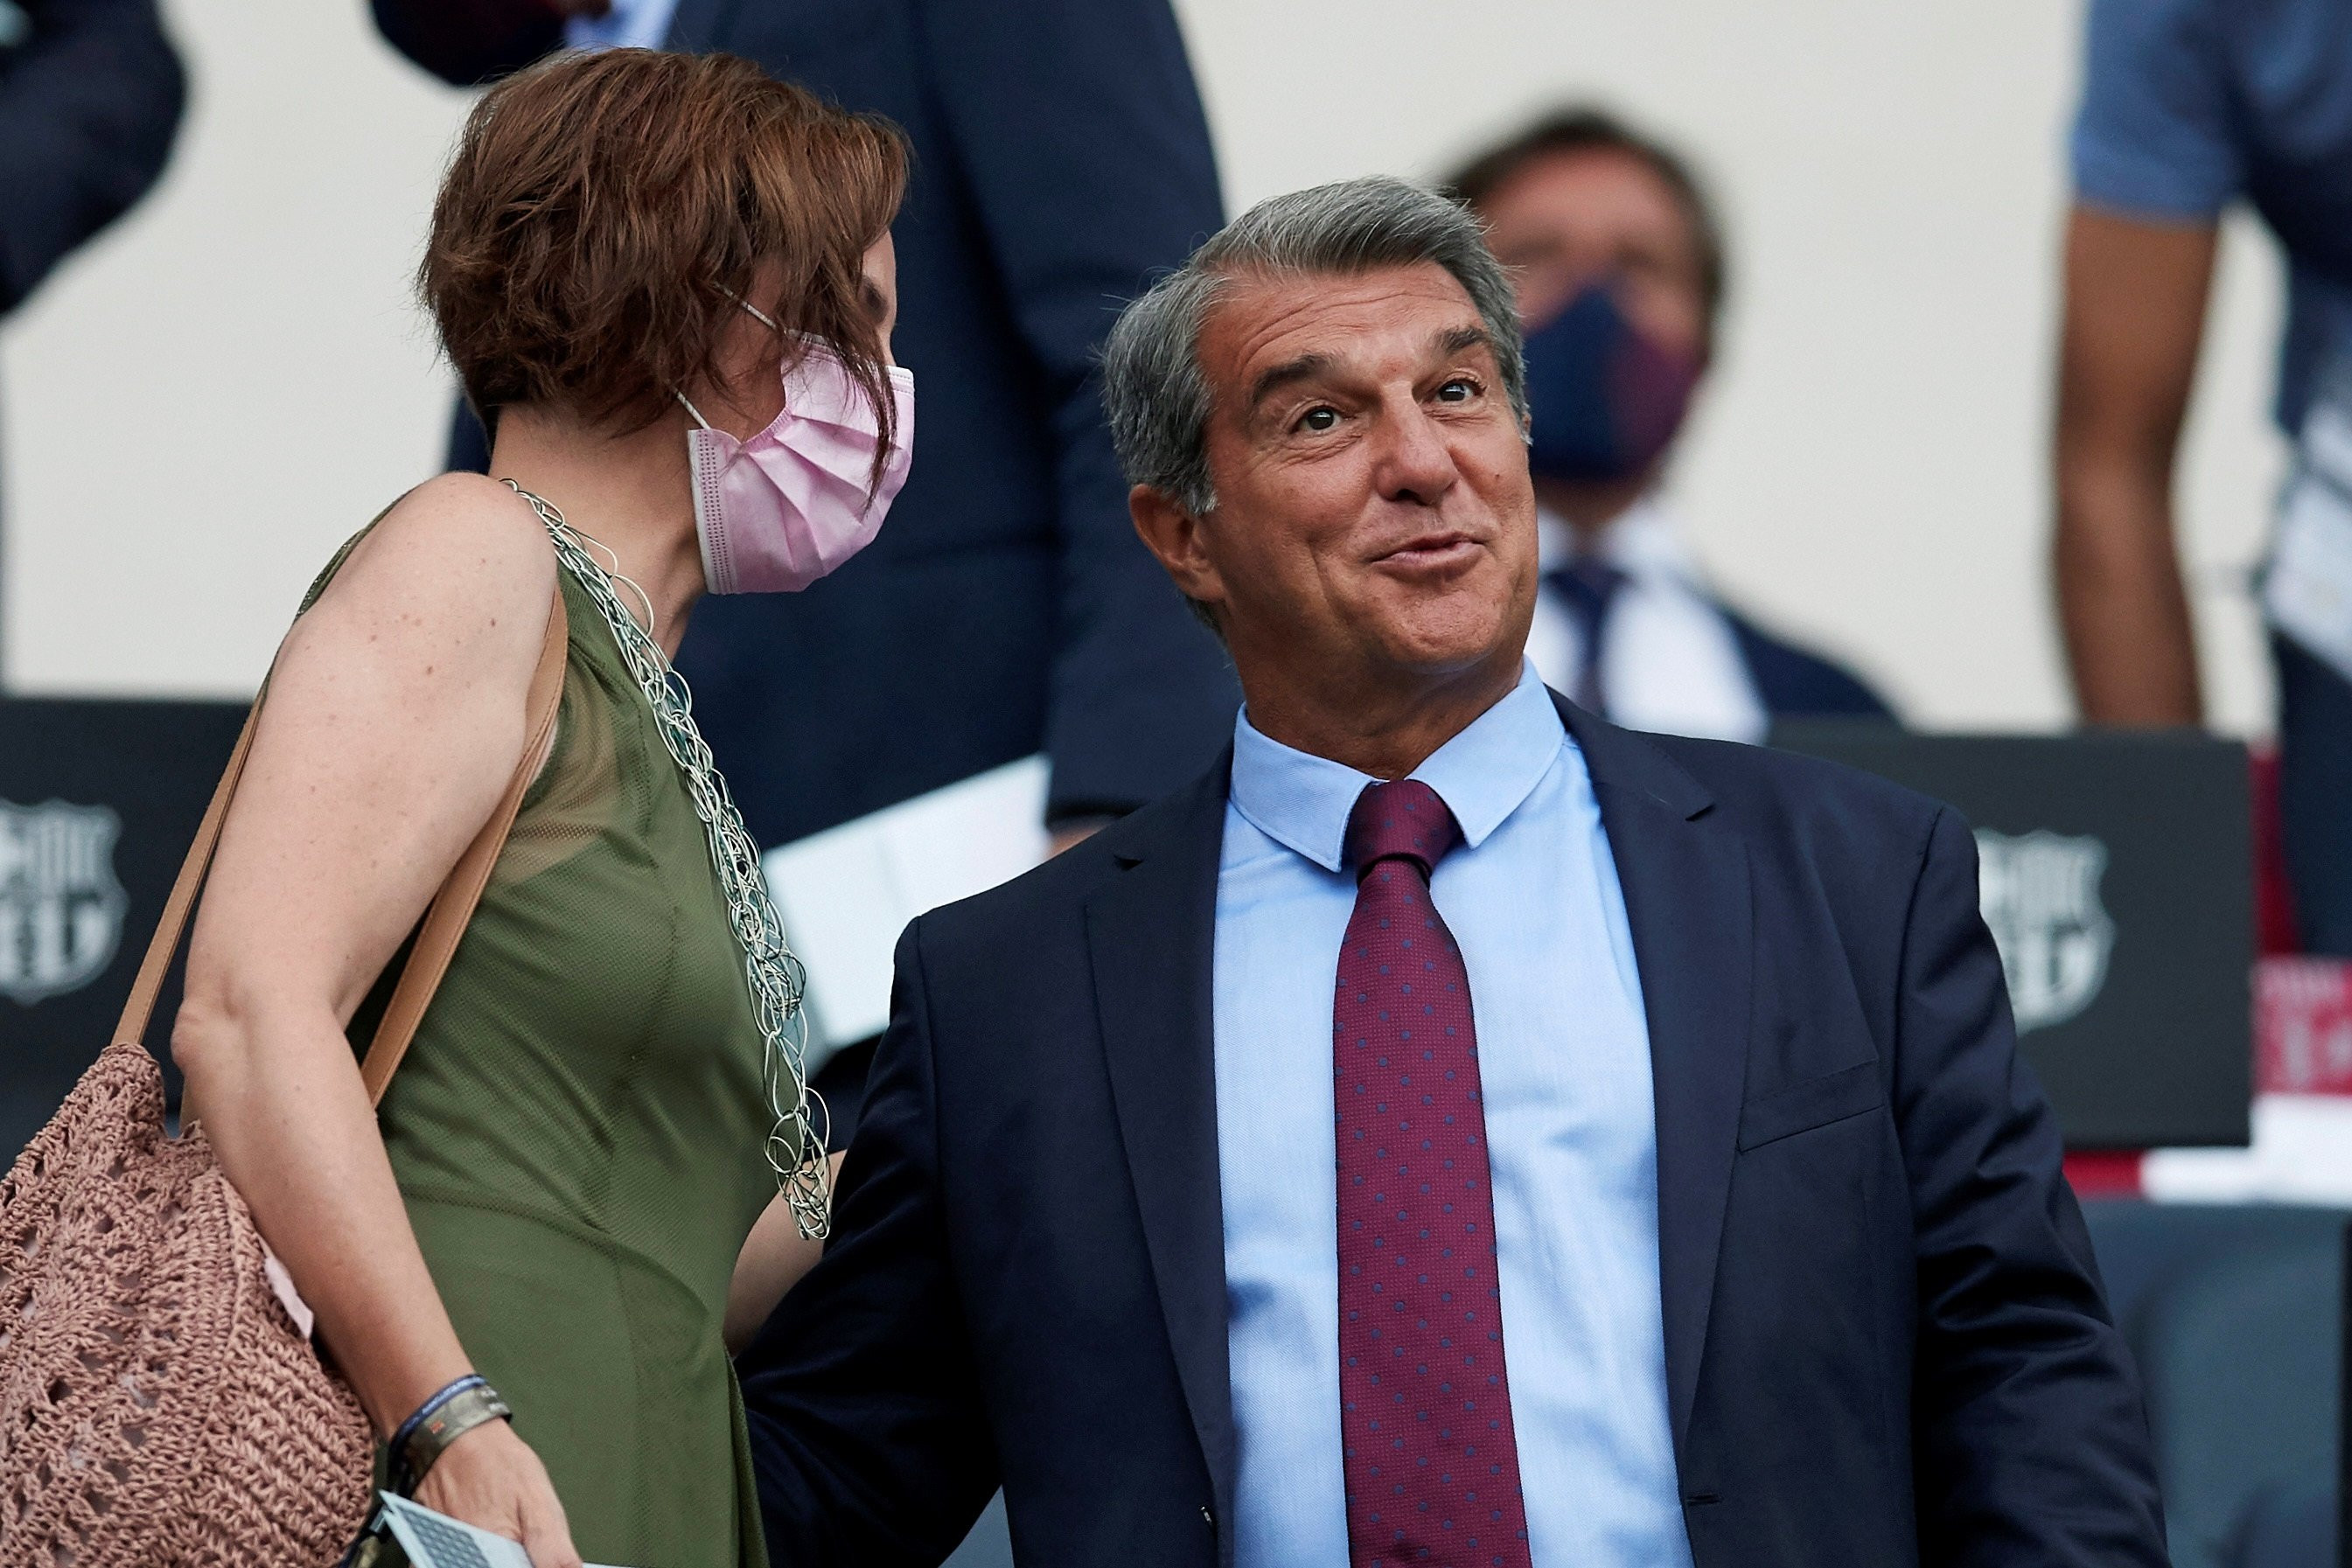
1568,220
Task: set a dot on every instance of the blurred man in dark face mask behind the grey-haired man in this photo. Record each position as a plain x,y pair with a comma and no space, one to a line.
1619,262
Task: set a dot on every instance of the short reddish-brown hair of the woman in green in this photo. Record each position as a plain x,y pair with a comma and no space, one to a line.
606,213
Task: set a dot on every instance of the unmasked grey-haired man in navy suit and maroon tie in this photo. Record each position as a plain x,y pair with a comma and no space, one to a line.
1455,1130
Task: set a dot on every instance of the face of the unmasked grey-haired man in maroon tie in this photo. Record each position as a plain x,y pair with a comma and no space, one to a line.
1372,504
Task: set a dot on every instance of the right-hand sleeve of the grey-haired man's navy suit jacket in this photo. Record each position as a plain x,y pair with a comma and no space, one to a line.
2029,1430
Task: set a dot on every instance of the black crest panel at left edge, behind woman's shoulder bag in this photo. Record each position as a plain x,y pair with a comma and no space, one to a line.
98,805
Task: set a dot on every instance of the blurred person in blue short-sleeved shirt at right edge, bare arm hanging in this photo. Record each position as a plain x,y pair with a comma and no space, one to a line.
2191,107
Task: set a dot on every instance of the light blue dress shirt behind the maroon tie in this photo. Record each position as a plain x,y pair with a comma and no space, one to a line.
1535,902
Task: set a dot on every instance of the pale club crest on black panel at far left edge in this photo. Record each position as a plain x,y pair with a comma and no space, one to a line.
60,902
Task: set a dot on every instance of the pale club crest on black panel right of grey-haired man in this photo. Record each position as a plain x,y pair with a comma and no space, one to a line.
2040,897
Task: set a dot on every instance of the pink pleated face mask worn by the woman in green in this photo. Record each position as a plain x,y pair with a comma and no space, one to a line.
789,507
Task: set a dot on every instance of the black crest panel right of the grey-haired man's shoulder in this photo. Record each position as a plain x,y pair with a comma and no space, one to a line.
2118,878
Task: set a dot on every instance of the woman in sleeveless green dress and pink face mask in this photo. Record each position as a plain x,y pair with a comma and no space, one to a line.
669,286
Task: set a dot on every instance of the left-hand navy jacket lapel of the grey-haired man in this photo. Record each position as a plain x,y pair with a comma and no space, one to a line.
1151,939
